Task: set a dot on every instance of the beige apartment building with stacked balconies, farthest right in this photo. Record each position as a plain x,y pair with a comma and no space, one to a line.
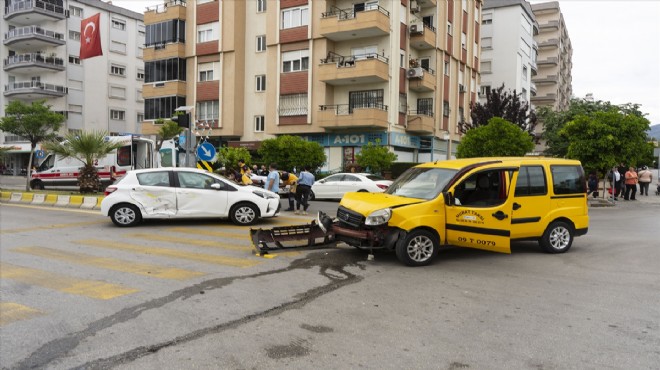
553,80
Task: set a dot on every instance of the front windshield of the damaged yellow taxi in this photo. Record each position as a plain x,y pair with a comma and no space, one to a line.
421,182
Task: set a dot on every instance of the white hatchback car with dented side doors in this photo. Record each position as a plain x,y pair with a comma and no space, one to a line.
185,193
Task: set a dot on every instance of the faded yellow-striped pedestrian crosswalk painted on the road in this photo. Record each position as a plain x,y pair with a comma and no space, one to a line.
176,253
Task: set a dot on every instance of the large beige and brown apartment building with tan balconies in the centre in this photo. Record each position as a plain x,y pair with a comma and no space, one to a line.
342,73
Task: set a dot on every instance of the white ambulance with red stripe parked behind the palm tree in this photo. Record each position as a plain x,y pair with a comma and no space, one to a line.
135,153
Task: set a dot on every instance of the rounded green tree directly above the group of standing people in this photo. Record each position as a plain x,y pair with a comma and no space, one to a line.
292,151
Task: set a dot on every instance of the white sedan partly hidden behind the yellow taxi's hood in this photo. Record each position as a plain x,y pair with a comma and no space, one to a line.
335,186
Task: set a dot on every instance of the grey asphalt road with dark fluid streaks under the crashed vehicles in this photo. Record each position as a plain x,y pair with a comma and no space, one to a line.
77,292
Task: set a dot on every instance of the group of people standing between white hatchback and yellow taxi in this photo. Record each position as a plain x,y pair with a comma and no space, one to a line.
300,186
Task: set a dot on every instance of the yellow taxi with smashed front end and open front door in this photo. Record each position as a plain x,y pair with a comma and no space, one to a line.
482,203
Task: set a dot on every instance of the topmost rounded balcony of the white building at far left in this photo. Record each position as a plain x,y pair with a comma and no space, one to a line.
27,12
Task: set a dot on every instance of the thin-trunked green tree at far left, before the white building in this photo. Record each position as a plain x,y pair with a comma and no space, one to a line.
34,122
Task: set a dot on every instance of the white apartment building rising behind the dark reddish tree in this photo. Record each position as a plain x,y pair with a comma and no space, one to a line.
508,53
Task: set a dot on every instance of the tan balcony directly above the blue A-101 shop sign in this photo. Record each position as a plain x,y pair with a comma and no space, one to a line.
343,116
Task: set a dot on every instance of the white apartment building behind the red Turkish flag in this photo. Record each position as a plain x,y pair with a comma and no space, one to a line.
40,51
